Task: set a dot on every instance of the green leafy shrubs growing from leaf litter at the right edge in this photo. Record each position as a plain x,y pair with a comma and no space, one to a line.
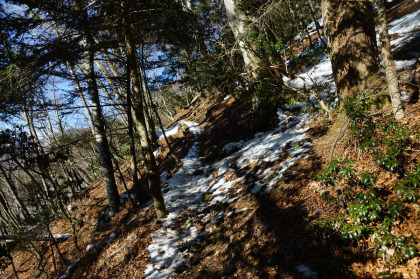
367,211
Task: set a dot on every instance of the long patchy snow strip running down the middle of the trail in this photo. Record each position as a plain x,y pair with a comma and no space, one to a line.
186,188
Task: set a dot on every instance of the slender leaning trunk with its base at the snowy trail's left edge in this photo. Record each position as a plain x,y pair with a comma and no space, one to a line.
153,174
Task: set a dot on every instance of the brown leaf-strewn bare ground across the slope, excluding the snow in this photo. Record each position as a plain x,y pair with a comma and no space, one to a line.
264,236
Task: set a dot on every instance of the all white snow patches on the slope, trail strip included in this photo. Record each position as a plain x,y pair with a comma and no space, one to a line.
186,189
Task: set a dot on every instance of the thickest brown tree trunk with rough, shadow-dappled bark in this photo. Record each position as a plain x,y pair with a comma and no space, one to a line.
350,31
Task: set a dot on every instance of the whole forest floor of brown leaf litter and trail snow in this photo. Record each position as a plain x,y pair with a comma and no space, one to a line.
240,202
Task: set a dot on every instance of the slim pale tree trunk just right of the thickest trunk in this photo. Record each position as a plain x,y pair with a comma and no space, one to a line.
387,57
